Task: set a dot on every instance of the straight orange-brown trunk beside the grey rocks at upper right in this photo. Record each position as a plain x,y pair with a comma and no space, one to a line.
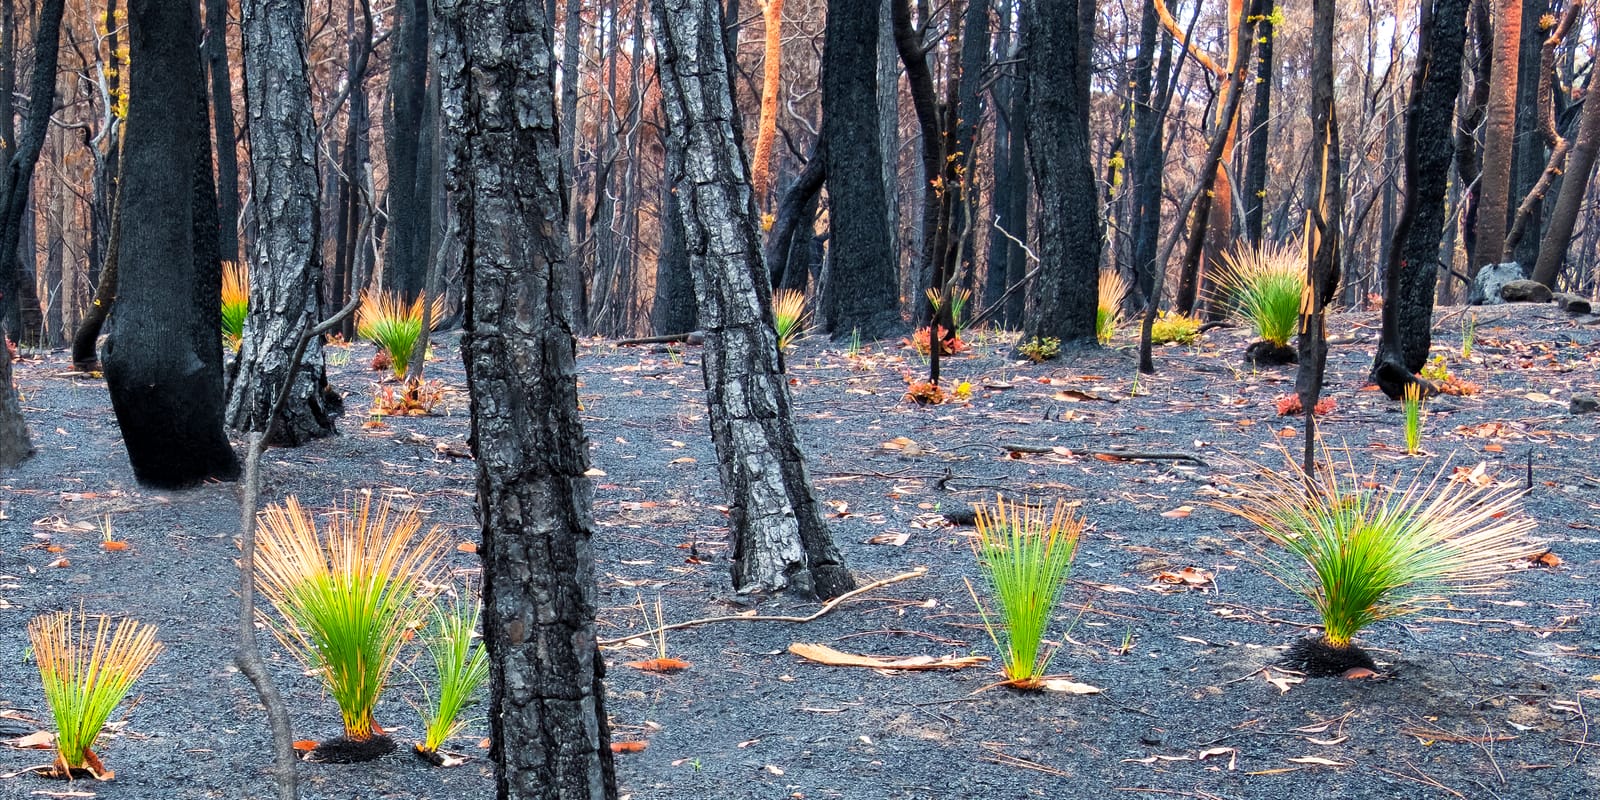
1500,132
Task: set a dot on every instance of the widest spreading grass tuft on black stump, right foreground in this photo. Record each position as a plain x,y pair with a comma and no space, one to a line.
1369,554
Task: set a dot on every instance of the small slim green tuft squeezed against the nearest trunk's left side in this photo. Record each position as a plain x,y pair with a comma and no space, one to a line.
460,670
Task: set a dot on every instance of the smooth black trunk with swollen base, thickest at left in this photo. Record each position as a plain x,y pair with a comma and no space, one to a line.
164,359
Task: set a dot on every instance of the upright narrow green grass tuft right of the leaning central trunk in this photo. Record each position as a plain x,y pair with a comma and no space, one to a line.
1026,558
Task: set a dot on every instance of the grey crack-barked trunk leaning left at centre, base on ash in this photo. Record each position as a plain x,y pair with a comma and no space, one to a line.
780,540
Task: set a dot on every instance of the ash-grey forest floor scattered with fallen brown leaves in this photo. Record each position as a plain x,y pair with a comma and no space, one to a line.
1486,697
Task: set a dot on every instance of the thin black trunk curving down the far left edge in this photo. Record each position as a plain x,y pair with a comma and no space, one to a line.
17,174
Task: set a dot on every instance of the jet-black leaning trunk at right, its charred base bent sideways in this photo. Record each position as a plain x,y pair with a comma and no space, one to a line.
1430,148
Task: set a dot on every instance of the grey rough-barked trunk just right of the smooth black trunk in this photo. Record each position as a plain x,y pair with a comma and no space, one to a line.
286,282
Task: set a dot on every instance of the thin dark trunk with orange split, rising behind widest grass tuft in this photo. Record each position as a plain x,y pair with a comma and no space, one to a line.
1321,236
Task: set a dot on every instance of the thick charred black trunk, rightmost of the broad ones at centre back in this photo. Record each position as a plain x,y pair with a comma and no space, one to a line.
1055,36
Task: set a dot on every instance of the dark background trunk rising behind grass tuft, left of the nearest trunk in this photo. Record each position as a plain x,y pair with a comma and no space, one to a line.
407,247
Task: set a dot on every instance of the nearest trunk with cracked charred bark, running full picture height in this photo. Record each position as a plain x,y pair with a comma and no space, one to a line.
548,724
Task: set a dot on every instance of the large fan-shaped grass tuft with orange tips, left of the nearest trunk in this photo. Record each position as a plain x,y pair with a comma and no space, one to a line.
346,601
